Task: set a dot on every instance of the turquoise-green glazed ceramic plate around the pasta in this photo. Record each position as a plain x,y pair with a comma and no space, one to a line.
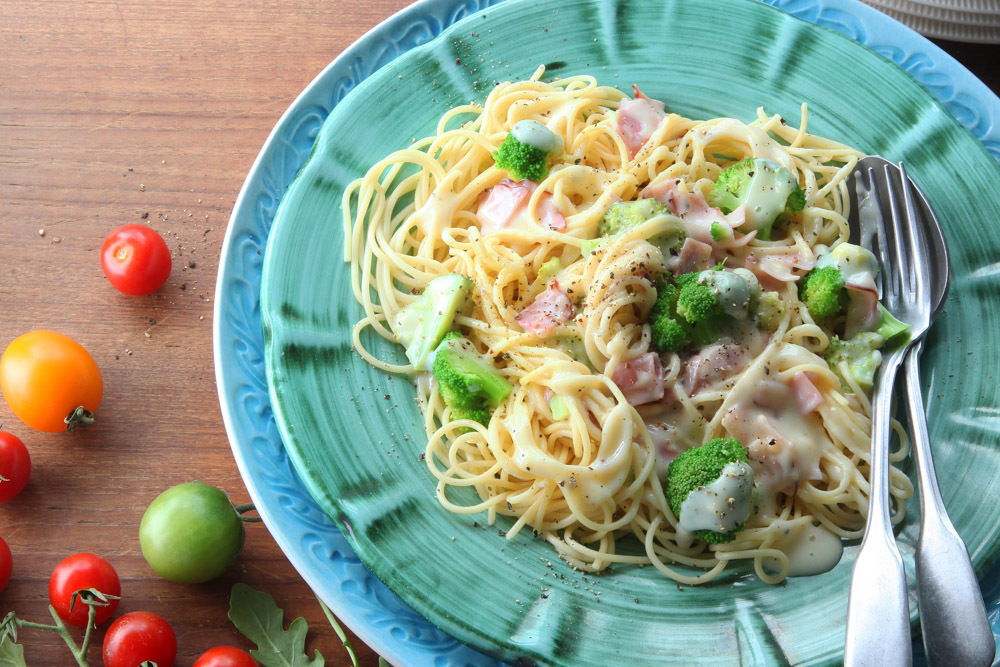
353,433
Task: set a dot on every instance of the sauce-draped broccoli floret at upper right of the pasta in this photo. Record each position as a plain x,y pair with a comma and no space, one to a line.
764,187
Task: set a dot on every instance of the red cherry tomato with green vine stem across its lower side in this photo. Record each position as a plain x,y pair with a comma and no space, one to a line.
82,572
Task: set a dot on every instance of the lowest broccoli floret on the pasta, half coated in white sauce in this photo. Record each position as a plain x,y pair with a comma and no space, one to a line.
700,467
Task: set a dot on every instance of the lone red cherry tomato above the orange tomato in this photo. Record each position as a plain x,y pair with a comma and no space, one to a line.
136,260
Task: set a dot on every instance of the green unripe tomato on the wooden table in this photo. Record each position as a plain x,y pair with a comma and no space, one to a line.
191,533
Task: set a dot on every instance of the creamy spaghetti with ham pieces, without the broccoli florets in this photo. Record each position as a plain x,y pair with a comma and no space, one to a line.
571,454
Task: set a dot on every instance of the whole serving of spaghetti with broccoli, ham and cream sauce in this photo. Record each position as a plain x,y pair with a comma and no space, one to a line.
643,338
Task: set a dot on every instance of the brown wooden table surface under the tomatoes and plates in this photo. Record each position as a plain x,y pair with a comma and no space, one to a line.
118,111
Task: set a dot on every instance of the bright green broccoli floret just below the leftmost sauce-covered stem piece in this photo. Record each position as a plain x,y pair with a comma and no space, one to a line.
468,383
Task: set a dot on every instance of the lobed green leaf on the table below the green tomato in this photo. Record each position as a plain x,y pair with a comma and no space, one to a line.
255,614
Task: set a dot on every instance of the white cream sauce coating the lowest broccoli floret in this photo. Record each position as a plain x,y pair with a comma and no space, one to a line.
722,505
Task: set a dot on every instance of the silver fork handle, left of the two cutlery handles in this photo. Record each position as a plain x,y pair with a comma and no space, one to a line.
878,613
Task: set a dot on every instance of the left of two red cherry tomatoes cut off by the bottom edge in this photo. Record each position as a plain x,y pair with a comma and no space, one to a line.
137,637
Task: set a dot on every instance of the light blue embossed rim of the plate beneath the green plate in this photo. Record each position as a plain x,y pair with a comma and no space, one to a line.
810,10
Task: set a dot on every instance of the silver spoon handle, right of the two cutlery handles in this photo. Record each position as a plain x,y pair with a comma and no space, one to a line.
952,615
